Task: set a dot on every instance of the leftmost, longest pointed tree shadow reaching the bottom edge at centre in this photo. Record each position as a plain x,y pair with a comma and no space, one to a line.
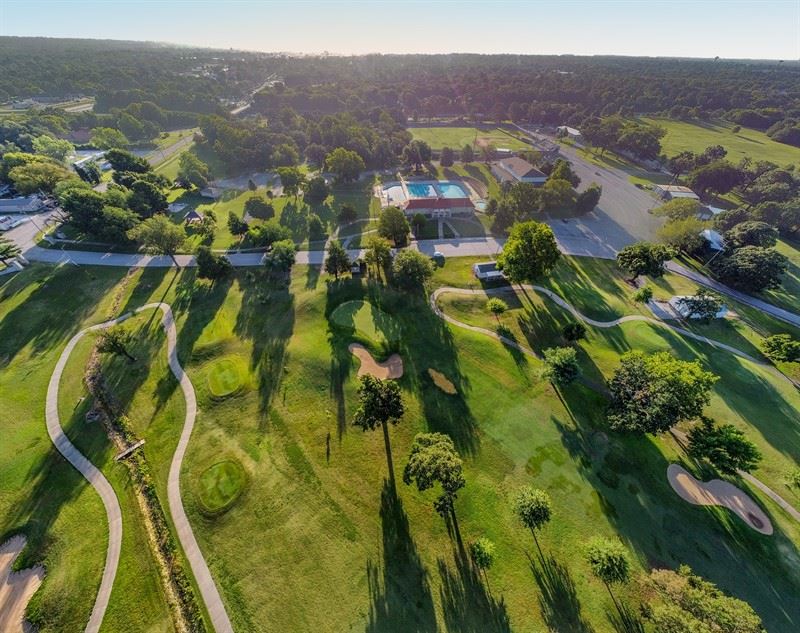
400,601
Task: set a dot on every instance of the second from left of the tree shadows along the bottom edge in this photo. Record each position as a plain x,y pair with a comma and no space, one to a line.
467,605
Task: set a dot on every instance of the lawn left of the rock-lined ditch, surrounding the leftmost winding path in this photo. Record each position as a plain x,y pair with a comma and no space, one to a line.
42,496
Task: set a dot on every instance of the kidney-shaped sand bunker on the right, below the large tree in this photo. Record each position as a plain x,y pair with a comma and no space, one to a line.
718,493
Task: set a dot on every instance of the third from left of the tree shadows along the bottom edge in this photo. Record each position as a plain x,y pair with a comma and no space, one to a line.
558,597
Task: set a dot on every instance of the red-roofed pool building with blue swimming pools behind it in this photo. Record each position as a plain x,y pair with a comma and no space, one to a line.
431,198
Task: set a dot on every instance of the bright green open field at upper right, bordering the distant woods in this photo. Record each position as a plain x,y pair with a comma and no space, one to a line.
696,136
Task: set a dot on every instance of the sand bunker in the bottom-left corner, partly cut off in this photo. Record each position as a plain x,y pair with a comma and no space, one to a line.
16,587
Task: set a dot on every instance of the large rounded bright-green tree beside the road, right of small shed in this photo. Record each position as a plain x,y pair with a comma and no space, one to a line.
530,252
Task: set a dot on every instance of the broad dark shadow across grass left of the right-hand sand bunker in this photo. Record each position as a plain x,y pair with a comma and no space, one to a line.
628,475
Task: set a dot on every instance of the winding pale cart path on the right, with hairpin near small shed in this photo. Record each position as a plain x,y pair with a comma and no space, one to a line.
790,510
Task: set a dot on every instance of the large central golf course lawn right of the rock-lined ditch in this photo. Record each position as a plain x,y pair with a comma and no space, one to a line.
318,520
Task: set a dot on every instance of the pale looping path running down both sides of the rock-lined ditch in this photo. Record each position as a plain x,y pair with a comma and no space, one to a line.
205,583
